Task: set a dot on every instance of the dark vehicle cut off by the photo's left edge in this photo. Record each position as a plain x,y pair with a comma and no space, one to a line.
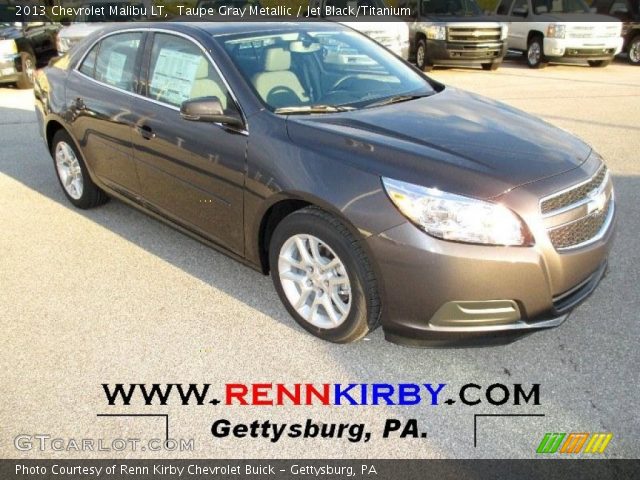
24,46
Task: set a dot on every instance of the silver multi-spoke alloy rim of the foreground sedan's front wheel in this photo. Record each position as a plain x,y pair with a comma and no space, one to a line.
315,281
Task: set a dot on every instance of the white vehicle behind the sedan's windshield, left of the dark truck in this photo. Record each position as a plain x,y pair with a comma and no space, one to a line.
392,33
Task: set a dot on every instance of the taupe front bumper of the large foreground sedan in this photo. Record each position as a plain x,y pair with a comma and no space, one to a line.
440,293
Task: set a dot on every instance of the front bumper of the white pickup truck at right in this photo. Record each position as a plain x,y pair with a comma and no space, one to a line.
592,48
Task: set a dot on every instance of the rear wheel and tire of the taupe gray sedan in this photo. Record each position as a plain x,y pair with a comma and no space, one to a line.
72,173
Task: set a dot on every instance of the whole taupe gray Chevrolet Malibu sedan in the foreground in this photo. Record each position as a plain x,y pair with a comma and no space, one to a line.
371,193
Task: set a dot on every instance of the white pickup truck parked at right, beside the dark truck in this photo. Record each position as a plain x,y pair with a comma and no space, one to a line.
547,31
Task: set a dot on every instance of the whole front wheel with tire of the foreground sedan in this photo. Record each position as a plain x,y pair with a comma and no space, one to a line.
323,276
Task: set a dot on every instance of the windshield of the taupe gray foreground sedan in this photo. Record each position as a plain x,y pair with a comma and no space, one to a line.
322,71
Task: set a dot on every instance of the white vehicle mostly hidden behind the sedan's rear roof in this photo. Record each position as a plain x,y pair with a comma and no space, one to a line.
85,24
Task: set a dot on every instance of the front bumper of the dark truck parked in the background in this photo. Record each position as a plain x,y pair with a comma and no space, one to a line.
443,52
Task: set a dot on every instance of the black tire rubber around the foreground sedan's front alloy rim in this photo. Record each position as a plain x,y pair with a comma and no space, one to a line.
302,223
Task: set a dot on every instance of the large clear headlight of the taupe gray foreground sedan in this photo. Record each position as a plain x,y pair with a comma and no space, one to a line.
457,218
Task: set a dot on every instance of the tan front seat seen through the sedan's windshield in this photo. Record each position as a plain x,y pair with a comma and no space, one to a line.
277,84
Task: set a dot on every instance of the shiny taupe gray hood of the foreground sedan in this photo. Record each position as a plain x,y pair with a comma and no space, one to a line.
454,140
